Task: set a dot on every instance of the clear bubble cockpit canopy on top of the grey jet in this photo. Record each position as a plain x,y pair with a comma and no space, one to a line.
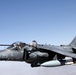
16,45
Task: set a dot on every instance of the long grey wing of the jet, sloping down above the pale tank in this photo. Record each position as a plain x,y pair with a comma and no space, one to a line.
57,50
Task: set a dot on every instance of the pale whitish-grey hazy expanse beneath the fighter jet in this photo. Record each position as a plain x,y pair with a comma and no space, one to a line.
21,68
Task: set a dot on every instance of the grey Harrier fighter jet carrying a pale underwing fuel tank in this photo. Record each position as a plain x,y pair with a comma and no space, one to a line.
40,54
